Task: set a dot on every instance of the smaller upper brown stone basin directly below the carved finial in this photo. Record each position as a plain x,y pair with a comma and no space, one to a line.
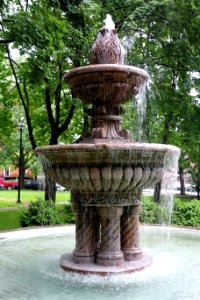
110,83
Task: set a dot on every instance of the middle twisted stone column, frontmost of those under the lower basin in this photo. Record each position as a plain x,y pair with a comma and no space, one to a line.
110,253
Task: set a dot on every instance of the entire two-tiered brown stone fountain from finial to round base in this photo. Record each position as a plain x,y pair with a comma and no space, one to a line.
107,171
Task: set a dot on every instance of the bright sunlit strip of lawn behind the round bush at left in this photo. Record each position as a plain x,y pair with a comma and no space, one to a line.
9,198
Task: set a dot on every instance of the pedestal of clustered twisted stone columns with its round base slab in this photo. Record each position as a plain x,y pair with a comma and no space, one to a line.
107,240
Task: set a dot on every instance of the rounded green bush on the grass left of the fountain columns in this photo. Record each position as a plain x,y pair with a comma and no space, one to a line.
40,213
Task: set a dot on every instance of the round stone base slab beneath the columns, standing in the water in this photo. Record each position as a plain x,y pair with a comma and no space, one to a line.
67,264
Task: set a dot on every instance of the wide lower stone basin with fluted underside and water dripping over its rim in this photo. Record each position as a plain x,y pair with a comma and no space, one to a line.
107,168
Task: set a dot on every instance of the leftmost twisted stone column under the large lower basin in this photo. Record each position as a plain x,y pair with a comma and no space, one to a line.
85,234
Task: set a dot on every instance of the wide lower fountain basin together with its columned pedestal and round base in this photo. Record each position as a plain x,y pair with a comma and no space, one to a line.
106,182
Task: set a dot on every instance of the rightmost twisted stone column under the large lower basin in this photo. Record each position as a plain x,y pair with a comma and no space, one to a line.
130,233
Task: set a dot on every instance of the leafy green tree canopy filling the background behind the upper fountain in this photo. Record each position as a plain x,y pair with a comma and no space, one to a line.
55,36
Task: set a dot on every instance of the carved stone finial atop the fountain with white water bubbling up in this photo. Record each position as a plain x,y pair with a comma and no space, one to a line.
107,49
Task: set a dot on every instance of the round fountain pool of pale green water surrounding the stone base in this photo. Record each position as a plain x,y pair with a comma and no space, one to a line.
30,269
